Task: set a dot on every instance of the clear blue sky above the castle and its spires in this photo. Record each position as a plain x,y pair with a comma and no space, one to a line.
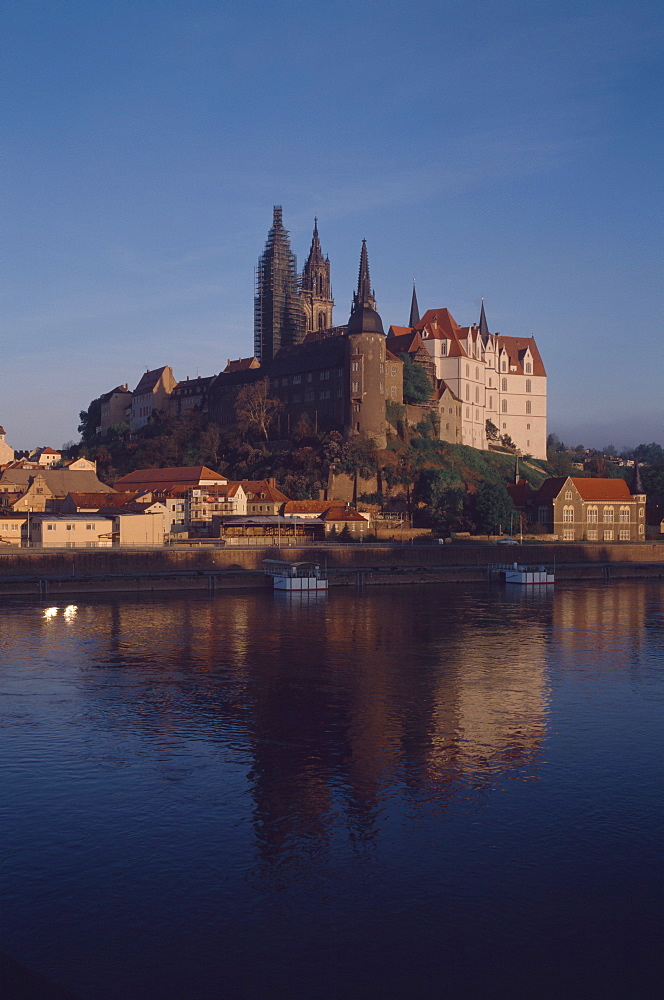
510,150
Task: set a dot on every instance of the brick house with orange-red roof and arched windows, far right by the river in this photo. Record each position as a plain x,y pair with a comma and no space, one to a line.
591,510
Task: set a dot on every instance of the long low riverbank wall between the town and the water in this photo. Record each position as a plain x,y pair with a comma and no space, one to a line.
47,573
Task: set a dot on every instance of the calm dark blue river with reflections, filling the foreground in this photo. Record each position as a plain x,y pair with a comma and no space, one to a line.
416,791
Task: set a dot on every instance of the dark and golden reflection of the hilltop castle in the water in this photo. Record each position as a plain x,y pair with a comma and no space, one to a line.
336,707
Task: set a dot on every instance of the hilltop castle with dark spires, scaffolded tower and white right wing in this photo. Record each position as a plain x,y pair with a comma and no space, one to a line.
485,386
